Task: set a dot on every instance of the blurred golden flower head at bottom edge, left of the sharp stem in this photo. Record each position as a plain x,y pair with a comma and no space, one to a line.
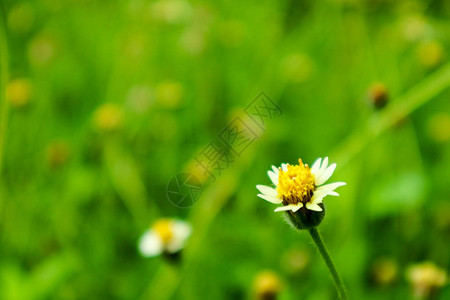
267,286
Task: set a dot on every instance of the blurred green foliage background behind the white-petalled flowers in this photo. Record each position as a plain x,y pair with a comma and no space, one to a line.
103,102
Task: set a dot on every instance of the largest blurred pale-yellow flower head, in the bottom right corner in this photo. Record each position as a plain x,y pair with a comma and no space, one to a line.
426,278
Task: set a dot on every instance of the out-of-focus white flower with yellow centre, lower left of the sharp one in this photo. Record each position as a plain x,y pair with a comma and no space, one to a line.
165,236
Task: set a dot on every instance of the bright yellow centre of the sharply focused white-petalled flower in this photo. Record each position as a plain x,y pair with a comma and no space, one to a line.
297,184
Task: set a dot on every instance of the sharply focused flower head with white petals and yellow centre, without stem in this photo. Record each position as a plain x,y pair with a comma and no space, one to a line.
299,186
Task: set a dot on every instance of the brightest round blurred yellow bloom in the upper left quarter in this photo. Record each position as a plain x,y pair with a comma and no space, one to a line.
108,117
